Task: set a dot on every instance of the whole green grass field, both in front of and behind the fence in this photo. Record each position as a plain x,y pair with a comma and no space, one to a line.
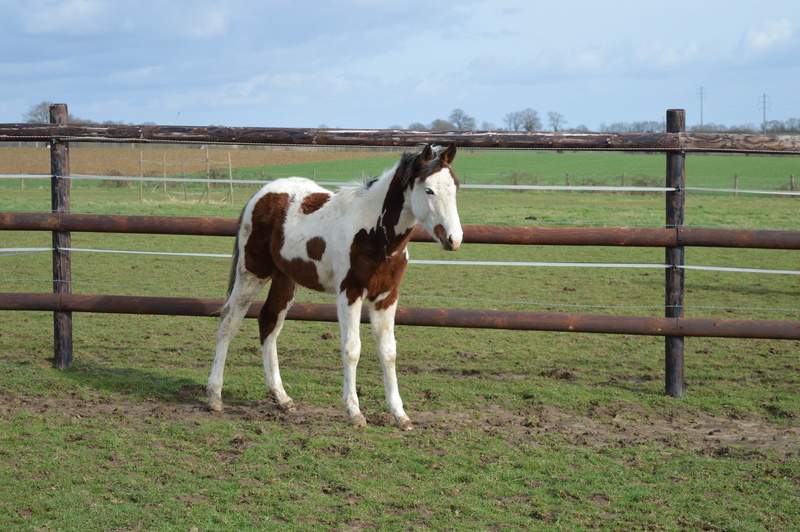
514,430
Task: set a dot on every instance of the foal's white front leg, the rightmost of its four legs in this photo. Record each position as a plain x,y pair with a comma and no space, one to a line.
383,330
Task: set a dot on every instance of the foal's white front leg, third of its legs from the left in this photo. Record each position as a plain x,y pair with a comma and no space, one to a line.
349,323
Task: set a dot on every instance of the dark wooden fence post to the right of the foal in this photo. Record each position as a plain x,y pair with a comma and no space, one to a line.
674,299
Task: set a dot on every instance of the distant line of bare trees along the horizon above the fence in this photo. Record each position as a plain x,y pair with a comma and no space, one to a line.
524,120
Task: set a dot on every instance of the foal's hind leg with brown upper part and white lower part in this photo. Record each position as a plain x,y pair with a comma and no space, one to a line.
270,323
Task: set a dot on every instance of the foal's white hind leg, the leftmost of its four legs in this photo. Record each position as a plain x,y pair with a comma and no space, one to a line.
245,290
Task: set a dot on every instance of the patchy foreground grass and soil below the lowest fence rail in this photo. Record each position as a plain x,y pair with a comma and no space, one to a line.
516,430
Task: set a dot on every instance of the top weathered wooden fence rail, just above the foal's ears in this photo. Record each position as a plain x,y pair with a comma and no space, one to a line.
688,142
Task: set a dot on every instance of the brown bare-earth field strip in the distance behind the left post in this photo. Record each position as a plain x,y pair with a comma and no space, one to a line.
124,161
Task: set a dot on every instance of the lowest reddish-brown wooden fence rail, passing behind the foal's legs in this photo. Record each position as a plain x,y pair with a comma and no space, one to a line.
485,319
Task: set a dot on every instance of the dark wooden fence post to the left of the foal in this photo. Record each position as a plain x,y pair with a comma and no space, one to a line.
62,266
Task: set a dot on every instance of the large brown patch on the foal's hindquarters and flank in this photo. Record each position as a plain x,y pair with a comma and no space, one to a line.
263,248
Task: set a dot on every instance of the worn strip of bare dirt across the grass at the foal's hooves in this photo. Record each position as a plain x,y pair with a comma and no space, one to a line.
603,427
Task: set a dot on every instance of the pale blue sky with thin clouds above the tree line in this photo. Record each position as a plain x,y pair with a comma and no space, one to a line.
368,64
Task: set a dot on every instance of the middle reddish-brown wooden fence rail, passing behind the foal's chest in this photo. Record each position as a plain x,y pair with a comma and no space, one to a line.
473,234
